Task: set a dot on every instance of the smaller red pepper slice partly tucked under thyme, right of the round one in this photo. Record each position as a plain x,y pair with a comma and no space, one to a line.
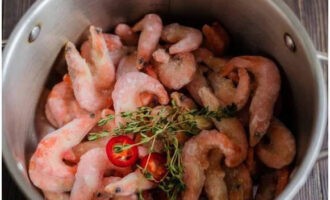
156,165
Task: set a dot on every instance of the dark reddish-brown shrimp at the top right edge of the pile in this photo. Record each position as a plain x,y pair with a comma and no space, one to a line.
217,40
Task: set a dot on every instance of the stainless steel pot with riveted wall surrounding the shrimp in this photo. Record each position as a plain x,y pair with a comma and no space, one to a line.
264,26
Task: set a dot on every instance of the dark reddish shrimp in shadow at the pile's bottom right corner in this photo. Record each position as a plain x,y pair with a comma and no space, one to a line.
271,184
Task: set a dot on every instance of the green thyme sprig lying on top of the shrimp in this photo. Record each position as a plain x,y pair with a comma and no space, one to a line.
162,124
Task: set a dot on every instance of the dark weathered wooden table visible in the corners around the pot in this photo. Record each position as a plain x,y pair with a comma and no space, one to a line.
313,15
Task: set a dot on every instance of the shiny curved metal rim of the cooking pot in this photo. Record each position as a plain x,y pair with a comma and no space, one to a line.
300,175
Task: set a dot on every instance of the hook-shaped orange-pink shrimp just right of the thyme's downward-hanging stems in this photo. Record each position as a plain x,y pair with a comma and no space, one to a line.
195,162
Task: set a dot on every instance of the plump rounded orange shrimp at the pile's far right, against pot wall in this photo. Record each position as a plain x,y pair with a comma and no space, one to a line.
278,148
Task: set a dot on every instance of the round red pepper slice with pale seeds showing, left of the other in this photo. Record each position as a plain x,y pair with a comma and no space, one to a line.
119,153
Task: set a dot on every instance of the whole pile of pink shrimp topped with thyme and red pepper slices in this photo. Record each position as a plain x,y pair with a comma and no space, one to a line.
164,111
